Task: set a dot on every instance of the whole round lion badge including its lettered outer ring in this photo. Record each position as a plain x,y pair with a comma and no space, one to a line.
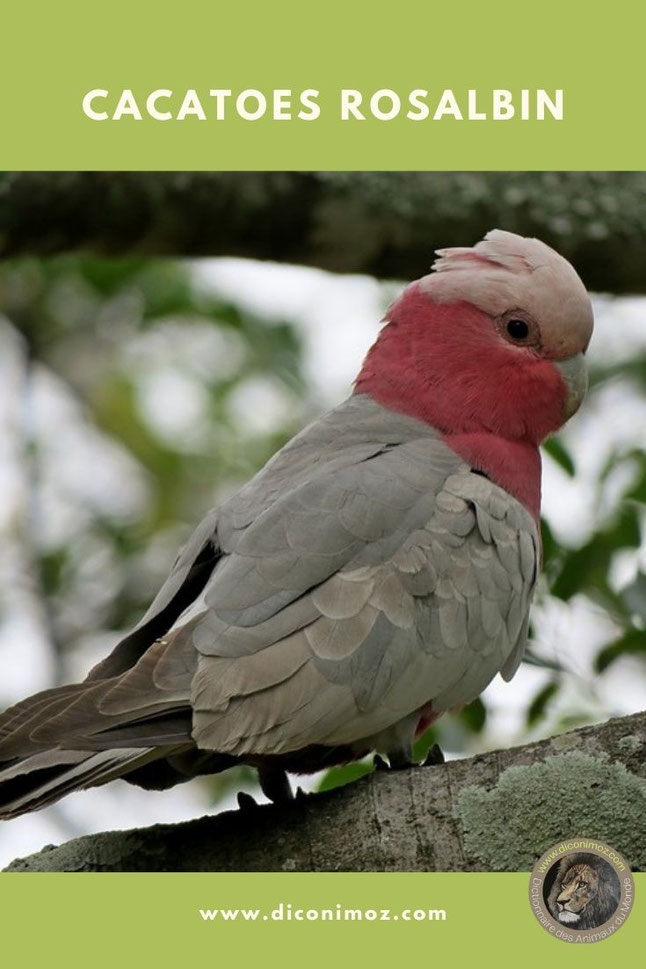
581,890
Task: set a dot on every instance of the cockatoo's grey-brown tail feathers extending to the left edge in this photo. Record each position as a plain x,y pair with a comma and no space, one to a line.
86,734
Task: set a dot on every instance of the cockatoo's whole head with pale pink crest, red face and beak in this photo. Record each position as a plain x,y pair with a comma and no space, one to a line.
492,341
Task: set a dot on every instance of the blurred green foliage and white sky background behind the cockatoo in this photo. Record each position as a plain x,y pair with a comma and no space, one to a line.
136,393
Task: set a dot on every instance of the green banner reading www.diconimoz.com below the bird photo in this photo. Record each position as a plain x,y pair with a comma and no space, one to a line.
286,919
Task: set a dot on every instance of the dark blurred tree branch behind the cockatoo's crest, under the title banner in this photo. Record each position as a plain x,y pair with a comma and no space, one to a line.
386,224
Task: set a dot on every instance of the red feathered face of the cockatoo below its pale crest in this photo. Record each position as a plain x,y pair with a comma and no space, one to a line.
463,370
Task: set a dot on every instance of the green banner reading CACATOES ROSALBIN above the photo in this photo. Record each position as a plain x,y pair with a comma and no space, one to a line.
339,86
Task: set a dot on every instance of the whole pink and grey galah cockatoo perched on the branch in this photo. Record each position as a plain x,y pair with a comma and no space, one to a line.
376,573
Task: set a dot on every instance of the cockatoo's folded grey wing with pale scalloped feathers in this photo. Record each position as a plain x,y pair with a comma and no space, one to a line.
403,579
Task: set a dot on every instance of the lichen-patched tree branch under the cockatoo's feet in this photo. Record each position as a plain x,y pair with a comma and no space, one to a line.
498,811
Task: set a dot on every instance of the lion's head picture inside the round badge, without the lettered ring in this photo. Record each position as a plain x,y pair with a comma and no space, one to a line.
585,892
